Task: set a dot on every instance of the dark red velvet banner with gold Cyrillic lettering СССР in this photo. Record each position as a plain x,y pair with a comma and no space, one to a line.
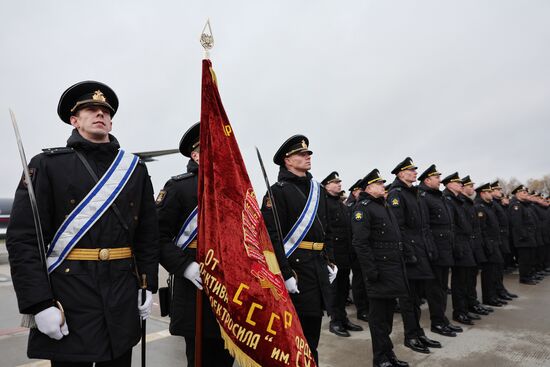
240,273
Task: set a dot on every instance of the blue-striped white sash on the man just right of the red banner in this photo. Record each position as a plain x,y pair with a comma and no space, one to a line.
304,222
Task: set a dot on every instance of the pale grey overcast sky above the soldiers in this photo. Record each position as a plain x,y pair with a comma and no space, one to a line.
464,84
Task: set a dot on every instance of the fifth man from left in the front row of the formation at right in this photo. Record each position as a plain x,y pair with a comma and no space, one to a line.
467,196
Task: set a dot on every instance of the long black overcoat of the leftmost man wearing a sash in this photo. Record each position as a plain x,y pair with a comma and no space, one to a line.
99,297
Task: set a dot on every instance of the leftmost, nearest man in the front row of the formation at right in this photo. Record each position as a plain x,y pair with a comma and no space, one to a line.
377,241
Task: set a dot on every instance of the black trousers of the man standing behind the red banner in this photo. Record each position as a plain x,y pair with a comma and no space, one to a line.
213,353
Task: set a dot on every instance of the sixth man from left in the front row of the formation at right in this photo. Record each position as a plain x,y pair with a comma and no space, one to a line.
490,234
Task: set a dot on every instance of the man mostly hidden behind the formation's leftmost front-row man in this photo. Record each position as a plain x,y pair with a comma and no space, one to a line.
360,298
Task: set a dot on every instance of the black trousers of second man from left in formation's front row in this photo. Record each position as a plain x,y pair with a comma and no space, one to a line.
410,310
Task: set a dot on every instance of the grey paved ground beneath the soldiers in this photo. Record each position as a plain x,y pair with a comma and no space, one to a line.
515,335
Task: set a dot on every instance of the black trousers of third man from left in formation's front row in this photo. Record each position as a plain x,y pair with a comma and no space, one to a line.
436,295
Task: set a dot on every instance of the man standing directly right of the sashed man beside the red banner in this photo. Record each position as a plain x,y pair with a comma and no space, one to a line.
341,231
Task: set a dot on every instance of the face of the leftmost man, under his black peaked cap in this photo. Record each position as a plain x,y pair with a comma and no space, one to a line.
93,123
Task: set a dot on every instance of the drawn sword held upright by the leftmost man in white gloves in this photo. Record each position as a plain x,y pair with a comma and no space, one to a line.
28,320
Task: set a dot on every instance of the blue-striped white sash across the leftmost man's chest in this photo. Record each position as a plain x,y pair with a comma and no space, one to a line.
89,210
